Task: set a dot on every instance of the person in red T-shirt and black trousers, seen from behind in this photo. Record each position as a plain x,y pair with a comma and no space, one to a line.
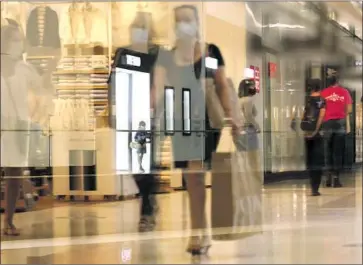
335,127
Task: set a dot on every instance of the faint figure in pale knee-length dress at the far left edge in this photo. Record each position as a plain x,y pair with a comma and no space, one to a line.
20,101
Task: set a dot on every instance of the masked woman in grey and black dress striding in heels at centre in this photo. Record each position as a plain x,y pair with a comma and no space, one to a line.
184,69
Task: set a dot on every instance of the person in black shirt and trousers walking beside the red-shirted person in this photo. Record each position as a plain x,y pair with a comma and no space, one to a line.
314,140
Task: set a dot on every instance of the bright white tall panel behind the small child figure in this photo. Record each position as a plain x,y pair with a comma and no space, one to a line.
132,105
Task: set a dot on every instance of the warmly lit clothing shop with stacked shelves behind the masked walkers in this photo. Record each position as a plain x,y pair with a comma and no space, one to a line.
72,44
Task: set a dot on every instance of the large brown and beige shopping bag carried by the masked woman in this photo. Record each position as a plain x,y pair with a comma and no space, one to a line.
236,192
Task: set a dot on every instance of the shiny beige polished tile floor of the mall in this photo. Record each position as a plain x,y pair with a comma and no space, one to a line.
297,228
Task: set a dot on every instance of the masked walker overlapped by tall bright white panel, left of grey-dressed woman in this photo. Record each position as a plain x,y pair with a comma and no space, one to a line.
130,86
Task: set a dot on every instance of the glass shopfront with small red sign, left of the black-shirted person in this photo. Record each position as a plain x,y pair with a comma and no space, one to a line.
283,99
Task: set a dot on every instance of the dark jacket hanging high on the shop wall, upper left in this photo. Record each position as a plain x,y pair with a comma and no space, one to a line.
43,28
